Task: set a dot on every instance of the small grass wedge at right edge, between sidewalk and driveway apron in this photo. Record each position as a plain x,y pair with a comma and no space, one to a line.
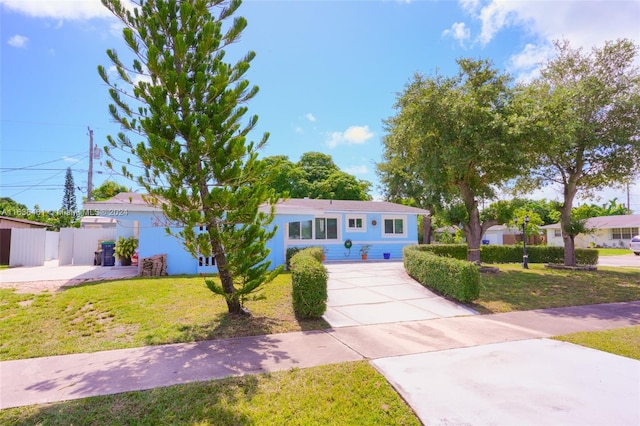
620,341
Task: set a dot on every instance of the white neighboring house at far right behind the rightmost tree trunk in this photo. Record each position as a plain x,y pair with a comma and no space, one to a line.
607,231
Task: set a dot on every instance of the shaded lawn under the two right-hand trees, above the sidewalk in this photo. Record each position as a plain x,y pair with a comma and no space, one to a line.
517,289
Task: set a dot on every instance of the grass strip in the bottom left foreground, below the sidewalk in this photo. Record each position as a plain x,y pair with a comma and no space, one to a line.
340,394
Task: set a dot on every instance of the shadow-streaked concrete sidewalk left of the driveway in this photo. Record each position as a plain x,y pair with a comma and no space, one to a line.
111,372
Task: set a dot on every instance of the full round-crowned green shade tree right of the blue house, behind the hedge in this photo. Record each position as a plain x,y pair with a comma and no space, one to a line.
458,137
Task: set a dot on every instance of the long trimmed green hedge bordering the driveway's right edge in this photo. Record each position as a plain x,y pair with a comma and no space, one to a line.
457,279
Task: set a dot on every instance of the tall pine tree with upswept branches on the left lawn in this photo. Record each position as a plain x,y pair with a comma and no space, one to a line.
184,105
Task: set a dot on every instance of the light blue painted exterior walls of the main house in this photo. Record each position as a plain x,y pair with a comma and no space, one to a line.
366,228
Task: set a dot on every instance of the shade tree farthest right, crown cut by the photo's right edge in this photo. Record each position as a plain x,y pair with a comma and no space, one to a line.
585,112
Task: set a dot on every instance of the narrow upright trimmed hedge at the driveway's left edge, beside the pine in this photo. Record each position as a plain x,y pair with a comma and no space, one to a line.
309,283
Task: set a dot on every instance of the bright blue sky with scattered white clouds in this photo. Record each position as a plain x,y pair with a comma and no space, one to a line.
328,72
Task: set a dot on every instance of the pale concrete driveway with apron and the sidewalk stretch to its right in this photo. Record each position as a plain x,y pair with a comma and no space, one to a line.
457,368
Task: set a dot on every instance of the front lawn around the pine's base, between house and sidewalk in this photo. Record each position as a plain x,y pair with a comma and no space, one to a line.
136,312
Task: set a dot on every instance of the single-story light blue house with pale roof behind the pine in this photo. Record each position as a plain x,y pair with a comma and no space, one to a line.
341,227
